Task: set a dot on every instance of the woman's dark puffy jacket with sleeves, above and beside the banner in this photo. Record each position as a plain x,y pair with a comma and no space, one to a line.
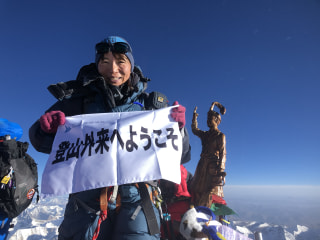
90,94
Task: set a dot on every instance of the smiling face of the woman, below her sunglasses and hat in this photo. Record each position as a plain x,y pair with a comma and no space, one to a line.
115,68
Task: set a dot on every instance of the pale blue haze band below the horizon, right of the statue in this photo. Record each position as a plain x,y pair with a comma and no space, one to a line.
284,205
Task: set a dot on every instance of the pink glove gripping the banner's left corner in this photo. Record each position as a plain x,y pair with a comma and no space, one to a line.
50,121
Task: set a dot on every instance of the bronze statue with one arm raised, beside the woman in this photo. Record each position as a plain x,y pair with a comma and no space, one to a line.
209,177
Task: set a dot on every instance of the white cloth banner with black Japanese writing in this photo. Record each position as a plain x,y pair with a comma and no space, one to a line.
106,149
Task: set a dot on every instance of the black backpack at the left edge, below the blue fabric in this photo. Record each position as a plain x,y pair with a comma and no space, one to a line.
19,177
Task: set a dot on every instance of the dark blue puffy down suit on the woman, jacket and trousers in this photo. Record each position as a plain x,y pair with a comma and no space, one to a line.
90,94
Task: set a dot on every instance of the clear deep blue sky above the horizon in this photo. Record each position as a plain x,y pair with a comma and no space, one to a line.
261,59
